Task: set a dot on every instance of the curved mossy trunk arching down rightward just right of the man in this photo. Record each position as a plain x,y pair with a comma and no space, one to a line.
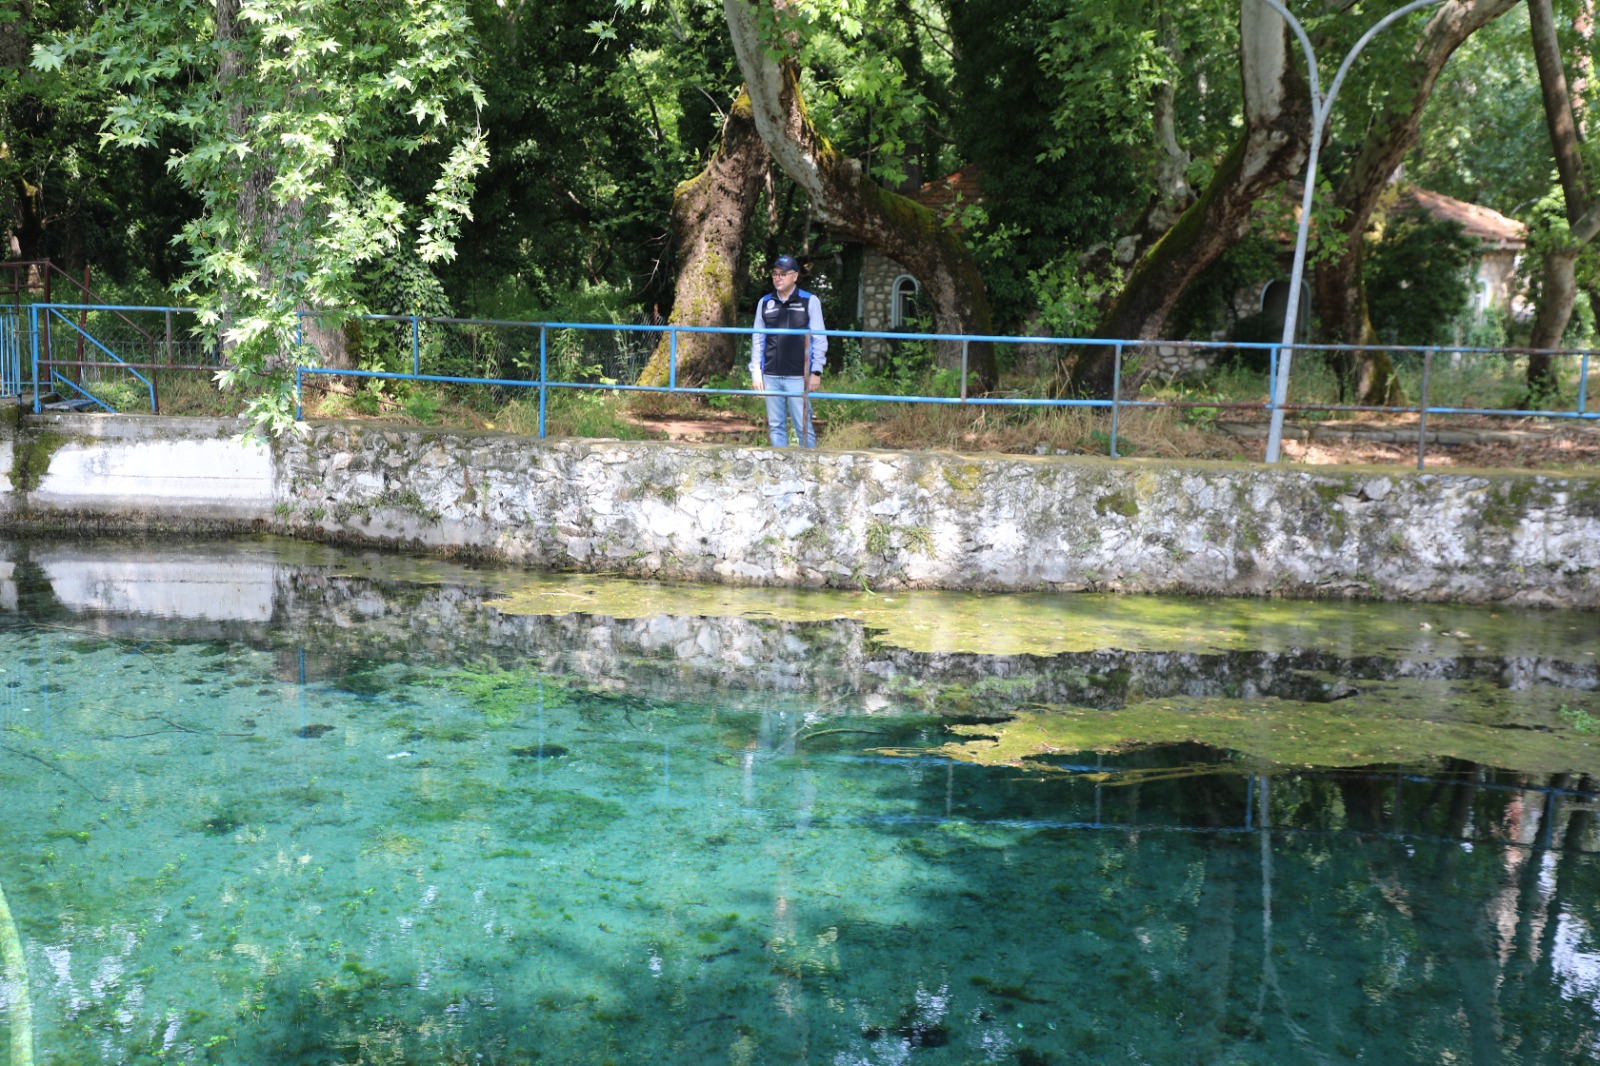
849,202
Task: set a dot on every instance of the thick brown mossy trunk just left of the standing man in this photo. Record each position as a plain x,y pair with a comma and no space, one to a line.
711,215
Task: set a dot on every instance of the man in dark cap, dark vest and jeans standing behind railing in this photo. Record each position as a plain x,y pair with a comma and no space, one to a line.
788,366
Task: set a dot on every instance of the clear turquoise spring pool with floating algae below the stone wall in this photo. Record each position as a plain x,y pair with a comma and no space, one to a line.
271,804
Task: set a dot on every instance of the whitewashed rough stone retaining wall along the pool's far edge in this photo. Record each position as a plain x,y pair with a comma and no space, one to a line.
838,519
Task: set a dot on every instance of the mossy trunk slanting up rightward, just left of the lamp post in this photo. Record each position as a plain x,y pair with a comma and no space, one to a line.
1273,150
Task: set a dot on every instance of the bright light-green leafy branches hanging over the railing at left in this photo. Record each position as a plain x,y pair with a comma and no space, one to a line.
287,111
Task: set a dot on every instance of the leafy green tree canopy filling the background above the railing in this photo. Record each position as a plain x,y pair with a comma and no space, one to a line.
271,158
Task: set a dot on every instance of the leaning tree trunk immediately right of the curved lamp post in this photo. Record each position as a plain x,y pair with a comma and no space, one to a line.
1340,294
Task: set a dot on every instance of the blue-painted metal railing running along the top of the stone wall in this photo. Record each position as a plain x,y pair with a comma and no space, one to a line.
540,379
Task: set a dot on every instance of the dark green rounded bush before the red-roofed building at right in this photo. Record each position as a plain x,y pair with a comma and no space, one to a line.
1418,279
